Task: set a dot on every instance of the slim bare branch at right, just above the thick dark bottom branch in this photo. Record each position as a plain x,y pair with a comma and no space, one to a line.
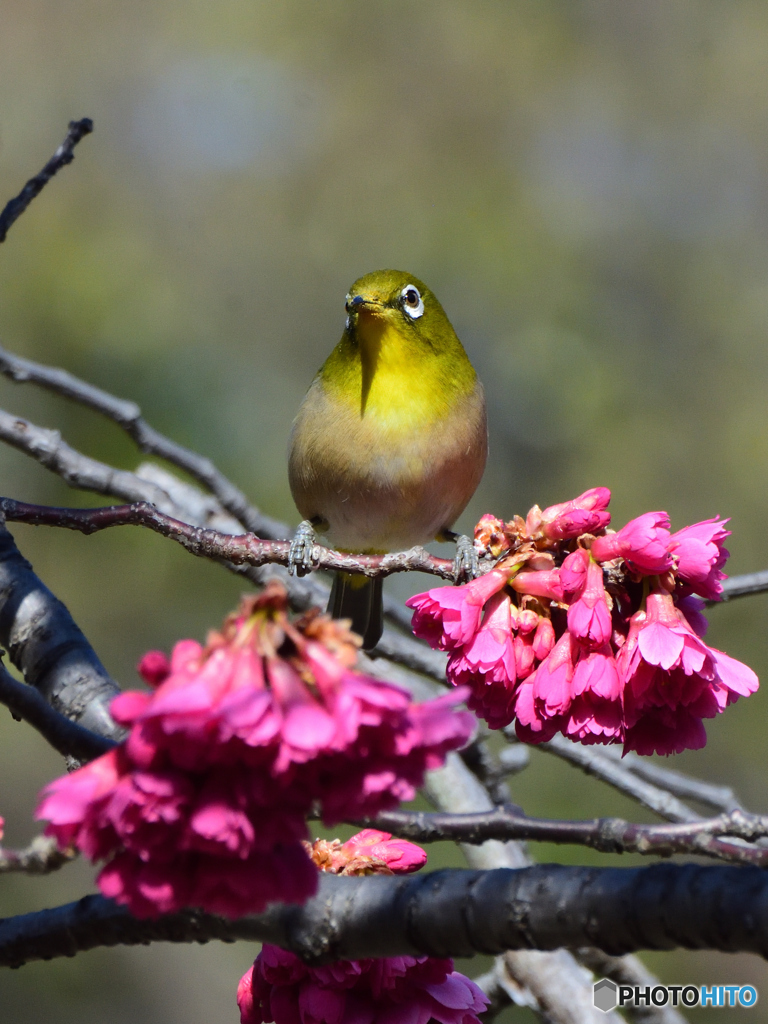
607,835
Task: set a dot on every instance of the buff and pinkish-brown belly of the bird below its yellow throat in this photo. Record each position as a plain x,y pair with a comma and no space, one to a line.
380,490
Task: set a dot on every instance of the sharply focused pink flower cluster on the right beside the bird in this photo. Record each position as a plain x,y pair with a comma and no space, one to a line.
594,634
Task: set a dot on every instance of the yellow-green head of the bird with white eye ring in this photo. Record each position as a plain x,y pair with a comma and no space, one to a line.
394,301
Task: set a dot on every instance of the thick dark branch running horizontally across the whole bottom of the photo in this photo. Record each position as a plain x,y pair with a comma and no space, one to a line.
448,914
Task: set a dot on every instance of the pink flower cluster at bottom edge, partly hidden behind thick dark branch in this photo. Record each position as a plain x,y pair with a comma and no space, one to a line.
280,988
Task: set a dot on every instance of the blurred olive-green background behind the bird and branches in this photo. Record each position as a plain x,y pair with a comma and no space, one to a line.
584,184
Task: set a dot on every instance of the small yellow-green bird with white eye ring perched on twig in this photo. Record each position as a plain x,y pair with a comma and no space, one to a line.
391,441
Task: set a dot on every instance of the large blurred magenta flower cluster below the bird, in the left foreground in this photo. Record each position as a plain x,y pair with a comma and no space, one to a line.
205,802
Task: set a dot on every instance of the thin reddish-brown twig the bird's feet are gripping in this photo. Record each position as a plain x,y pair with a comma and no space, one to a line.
243,549
